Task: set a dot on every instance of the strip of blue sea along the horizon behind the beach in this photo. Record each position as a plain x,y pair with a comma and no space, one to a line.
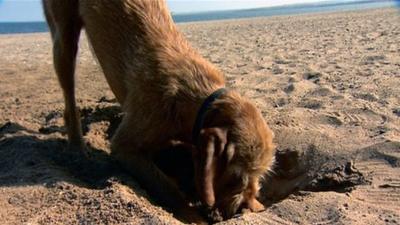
326,6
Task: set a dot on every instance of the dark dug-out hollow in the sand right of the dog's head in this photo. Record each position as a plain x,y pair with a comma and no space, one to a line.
312,172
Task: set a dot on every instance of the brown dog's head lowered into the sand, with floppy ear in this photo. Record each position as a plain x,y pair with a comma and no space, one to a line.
234,150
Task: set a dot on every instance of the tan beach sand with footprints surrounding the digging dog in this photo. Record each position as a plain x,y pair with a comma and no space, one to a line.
328,85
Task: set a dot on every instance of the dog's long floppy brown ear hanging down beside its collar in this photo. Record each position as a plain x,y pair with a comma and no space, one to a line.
212,142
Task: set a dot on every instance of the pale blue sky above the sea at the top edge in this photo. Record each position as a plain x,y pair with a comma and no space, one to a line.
31,10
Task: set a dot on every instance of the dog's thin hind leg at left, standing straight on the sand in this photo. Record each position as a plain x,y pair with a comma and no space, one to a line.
65,26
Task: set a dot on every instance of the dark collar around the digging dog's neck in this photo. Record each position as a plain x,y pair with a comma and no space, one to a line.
201,114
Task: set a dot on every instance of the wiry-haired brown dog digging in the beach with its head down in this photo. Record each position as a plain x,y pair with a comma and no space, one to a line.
169,93
